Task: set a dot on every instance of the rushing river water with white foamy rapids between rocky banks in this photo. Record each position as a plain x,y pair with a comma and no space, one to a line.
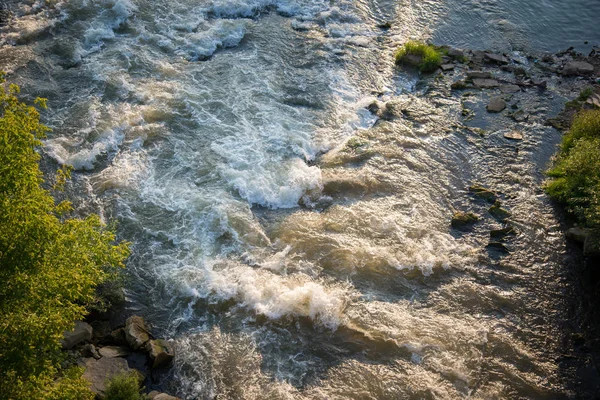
288,245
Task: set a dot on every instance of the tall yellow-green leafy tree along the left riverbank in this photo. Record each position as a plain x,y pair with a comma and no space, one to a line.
50,264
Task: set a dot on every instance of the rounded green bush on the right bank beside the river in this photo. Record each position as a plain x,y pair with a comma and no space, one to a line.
575,176
